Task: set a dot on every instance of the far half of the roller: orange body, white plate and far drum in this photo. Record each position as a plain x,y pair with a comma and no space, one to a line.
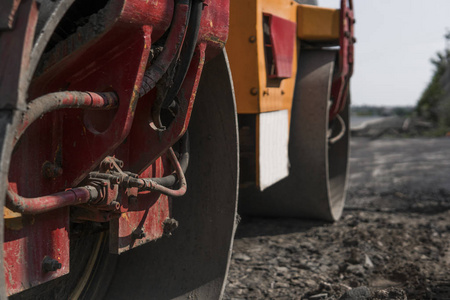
291,65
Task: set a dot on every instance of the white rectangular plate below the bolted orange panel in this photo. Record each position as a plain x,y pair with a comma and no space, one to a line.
273,147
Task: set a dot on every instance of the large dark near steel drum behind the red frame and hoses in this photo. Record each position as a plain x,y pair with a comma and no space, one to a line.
193,262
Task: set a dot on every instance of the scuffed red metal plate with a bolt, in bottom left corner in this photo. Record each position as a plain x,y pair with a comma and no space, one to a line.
28,240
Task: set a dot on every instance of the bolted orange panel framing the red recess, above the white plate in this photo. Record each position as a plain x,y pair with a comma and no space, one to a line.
245,49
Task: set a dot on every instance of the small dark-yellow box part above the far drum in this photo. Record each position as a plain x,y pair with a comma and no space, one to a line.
318,23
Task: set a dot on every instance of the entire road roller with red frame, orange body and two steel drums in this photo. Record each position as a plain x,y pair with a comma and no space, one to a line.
123,124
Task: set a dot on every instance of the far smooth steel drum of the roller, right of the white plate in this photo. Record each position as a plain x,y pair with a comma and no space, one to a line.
317,181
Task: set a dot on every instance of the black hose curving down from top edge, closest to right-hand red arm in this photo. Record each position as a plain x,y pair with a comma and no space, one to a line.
187,52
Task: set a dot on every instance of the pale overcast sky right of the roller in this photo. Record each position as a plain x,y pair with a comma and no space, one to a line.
395,41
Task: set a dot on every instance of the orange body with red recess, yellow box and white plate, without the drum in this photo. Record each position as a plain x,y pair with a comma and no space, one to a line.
265,37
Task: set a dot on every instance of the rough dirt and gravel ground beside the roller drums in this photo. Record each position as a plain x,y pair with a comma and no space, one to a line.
393,241
